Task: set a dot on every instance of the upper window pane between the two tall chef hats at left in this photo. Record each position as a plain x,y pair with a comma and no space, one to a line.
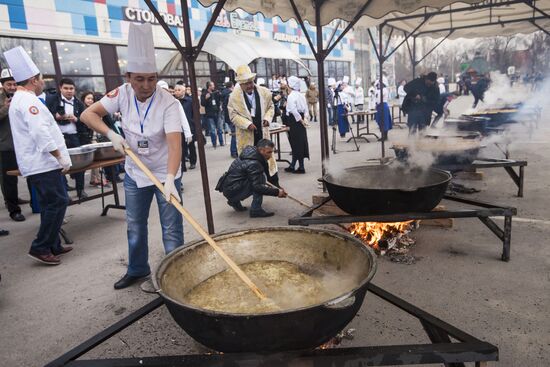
79,58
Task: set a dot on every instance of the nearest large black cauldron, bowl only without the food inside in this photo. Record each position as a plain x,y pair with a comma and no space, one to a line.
339,254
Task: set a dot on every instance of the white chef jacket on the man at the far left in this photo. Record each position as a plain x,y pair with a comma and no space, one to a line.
35,134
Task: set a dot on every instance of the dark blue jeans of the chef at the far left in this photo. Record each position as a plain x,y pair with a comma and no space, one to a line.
53,201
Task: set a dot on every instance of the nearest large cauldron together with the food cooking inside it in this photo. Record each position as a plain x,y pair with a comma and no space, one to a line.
315,279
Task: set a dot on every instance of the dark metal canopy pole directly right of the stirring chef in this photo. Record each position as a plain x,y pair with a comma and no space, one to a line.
190,60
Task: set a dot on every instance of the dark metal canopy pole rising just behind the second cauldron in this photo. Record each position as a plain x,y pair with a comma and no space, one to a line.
320,57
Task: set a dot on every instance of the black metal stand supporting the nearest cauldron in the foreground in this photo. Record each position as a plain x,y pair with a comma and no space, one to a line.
466,349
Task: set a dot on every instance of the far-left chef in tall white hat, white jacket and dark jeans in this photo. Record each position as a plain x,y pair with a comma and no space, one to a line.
41,154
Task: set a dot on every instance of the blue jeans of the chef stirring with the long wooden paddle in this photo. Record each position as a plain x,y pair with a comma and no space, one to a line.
138,203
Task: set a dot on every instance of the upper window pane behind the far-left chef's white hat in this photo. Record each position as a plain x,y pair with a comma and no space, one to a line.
39,51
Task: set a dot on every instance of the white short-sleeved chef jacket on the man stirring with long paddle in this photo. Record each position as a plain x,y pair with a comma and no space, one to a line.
164,117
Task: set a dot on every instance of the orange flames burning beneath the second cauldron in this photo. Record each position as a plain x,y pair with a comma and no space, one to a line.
371,233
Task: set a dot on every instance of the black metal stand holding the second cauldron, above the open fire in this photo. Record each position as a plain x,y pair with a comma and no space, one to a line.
483,211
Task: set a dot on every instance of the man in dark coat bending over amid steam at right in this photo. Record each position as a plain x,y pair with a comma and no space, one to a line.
421,99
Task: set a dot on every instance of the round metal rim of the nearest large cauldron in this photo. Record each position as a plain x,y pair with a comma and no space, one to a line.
357,242
